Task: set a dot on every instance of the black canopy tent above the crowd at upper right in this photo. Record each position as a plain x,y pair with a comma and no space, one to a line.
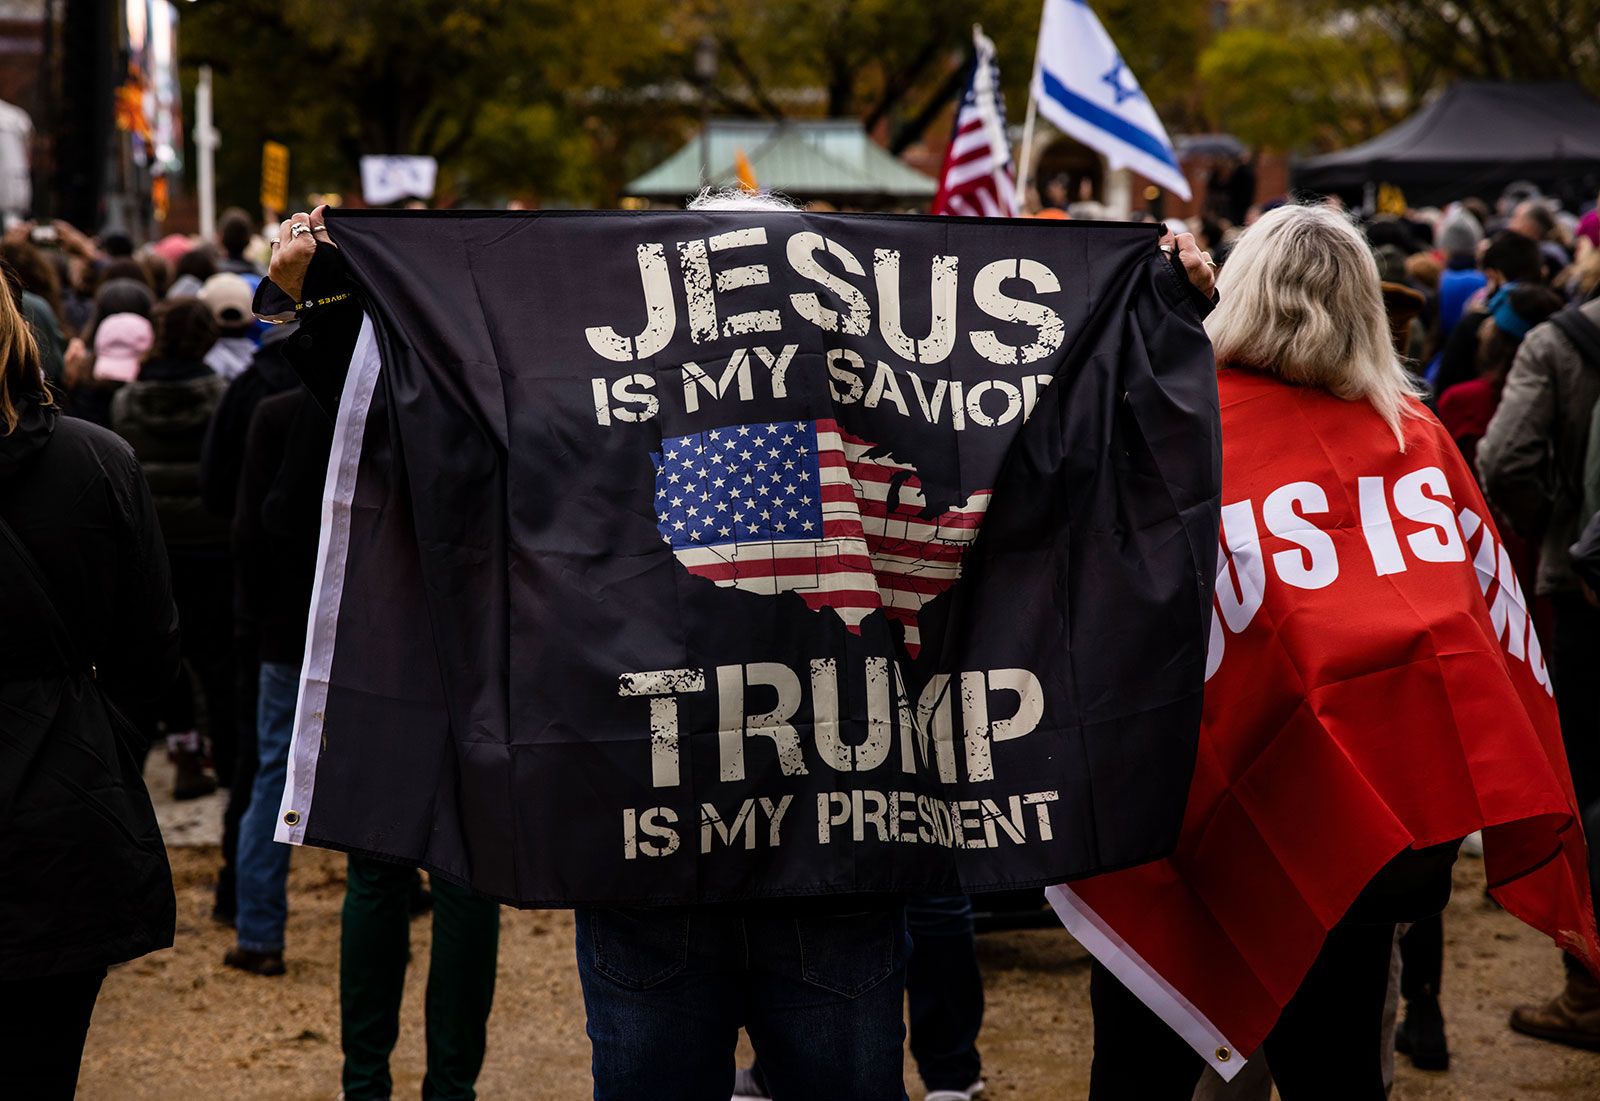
1476,138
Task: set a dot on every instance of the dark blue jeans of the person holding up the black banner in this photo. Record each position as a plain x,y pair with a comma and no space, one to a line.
820,995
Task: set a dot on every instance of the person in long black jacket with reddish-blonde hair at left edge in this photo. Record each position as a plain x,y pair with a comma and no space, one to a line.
82,865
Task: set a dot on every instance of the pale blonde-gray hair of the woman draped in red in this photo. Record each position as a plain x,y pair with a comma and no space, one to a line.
1302,300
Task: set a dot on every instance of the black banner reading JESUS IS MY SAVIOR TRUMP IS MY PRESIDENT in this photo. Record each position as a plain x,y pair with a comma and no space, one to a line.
684,558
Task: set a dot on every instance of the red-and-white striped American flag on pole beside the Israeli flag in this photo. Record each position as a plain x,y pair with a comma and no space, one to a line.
977,178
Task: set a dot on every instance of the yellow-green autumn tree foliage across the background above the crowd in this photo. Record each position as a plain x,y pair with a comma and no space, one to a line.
564,102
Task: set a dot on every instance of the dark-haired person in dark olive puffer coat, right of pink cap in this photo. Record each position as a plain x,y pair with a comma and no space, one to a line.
164,415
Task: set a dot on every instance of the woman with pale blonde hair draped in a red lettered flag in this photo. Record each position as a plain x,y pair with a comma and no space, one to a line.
1362,711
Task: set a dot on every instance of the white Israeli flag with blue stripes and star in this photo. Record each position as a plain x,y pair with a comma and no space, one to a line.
1086,90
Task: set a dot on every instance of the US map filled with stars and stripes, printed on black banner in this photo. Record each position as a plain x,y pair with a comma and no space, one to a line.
807,508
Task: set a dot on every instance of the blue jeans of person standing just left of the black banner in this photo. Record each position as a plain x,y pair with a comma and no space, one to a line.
263,863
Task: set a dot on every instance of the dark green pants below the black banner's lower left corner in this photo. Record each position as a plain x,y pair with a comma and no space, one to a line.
374,955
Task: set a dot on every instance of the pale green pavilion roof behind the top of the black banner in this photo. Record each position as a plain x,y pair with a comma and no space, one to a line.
812,159
